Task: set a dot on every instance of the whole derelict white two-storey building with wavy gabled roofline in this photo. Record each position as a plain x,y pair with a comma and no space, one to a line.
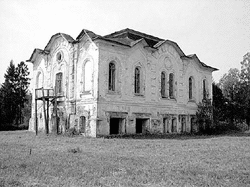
126,82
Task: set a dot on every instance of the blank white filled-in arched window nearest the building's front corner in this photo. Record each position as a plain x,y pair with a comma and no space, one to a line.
88,71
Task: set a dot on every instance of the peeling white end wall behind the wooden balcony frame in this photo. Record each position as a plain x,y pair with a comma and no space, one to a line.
75,102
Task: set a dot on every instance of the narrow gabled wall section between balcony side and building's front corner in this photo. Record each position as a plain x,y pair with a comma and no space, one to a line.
87,83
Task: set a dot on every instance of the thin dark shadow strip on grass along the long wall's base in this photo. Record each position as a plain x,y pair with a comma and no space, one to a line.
176,136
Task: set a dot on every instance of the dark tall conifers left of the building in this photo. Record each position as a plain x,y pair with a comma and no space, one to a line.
15,99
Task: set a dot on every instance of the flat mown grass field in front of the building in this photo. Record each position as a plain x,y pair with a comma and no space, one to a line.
27,160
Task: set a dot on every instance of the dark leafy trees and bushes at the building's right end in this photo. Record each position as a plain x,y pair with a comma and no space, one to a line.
230,105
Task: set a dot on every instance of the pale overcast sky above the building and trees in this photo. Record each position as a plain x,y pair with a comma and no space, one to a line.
218,31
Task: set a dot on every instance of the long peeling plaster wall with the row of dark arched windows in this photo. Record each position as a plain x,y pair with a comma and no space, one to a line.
149,105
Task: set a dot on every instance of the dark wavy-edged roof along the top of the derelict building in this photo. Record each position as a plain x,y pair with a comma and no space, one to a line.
126,37
